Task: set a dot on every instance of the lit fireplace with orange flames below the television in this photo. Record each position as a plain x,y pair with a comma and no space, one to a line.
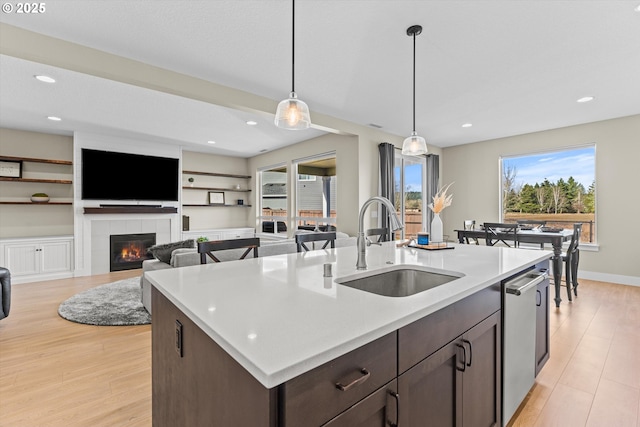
129,250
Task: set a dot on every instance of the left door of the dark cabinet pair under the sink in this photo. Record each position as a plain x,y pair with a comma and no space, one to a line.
431,391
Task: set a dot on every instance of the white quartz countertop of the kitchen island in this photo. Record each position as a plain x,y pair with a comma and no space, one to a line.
279,317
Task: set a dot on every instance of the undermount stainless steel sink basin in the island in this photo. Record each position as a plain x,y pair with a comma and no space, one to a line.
401,281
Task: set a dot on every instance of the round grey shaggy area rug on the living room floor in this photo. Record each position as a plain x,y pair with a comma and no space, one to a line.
113,304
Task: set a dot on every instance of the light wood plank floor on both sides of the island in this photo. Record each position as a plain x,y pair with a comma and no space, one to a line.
58,373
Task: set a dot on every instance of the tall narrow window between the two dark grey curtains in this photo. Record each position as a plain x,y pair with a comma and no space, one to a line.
409,183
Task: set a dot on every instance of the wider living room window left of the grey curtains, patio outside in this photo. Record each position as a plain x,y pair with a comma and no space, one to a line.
316,191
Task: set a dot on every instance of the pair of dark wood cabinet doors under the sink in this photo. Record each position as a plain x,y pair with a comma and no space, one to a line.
457,385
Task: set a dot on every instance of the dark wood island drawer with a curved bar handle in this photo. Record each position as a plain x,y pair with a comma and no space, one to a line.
314,398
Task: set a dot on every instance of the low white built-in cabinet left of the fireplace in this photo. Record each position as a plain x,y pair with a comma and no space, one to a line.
36,259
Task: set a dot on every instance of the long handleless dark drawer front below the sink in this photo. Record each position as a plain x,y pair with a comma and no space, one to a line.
425,336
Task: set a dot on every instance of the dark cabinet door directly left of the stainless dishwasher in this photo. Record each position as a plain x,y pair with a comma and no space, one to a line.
482,379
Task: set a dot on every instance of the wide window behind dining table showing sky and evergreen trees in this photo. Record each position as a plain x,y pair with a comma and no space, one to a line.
556,186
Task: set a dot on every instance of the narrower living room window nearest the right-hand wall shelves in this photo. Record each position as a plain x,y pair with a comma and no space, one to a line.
273,201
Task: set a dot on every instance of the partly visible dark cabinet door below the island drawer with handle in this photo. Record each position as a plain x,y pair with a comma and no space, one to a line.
380,409
